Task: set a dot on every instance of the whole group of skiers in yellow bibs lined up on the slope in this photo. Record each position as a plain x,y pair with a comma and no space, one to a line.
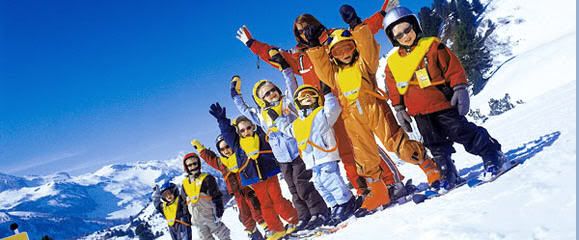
303,131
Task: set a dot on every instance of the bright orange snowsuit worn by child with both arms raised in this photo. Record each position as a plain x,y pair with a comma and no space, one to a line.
368,113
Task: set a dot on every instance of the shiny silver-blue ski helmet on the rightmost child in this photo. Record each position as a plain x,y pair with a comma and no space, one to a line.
398,15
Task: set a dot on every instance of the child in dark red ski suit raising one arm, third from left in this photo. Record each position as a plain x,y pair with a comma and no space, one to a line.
247,203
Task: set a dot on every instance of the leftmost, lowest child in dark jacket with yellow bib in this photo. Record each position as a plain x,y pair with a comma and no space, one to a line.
169,201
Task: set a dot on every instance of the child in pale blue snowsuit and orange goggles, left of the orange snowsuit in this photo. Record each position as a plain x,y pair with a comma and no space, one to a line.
317,143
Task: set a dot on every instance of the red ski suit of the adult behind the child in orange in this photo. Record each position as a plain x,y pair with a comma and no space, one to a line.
301,65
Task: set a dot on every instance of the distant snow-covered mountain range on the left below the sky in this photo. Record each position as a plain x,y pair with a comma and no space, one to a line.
66,207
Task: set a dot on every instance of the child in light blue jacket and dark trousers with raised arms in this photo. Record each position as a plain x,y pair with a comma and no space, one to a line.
271,102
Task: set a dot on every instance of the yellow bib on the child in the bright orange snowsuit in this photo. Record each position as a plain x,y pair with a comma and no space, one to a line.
349,82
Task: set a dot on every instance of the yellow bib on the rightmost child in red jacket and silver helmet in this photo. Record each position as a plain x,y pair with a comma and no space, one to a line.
403,68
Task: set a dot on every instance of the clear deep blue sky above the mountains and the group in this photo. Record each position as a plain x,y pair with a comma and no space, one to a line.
89,83
